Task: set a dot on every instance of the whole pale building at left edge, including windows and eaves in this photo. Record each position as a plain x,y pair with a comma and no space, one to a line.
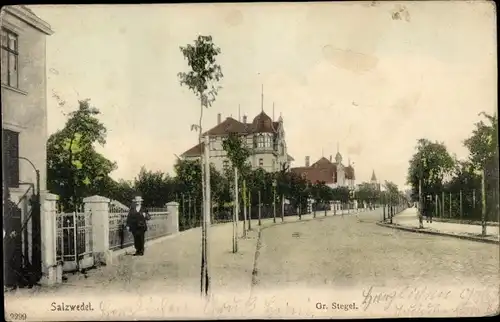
24,99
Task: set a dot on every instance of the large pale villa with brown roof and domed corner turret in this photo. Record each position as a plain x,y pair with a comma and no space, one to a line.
263,136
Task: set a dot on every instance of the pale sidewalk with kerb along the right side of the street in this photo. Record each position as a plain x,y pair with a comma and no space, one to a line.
409,219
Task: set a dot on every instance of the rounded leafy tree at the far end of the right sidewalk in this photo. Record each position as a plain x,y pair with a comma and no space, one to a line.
430,163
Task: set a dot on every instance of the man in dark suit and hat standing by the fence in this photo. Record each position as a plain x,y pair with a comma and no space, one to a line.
137,224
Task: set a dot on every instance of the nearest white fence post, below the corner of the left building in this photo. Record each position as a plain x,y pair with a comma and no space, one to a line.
51,270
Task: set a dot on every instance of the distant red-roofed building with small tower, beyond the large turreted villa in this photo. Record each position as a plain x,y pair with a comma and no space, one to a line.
333,173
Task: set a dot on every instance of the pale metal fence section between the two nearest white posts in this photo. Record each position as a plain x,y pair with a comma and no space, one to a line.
74,240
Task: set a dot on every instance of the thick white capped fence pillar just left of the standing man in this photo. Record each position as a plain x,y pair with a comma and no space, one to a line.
98,206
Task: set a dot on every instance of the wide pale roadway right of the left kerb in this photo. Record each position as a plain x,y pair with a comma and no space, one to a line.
334,254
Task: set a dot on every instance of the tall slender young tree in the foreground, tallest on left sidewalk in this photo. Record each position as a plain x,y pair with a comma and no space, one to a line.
202,80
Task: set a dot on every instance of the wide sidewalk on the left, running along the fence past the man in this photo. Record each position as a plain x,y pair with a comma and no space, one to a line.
173,265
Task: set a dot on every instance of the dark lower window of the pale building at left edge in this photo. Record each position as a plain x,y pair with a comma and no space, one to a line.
11,158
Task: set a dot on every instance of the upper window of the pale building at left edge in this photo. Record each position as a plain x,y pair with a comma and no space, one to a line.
9,58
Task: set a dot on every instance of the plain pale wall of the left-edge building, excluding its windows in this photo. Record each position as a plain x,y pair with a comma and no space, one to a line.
24,110
